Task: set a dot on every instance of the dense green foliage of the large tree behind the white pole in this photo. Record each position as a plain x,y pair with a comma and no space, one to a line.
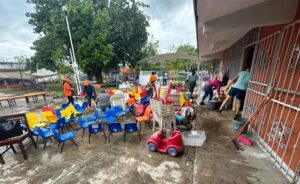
104,34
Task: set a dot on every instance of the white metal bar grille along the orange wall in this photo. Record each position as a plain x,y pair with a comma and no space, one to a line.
276,66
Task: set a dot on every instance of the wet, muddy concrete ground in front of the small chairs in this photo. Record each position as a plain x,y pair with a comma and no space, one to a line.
131,162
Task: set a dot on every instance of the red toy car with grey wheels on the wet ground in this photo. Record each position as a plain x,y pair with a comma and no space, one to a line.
172,145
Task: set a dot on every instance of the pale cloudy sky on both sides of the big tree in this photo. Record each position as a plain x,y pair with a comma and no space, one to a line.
171,22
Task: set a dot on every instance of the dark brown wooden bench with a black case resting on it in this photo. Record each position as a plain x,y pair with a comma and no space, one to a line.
17,140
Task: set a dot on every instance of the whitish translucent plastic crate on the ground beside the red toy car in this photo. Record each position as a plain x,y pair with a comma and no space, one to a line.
193,138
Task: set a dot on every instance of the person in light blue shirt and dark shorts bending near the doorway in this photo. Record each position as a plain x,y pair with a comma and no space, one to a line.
238,90
